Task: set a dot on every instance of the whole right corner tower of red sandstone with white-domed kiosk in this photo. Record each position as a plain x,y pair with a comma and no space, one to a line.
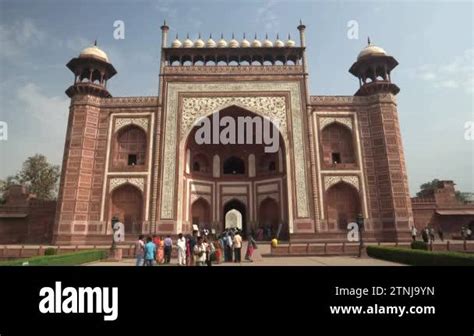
390,212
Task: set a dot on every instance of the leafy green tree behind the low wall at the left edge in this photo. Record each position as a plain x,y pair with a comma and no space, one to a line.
38,175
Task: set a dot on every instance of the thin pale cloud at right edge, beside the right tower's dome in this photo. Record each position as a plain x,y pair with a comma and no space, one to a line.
457,74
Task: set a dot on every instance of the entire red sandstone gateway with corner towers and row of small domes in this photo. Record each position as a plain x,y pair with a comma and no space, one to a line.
136,157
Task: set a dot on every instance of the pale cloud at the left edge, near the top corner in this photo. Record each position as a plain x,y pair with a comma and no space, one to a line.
18,37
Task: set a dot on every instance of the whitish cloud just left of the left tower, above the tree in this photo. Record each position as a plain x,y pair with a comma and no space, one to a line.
51,112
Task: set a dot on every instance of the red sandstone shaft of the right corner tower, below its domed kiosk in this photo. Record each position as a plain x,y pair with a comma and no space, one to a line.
390,206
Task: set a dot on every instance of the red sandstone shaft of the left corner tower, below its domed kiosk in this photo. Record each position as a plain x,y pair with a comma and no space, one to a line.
83,169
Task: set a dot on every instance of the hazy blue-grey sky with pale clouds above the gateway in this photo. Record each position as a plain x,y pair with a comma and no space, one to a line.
432,40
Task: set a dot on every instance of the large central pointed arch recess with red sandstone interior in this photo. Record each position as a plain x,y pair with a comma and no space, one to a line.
235,174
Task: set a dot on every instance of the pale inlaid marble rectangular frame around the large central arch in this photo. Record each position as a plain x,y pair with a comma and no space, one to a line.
172,137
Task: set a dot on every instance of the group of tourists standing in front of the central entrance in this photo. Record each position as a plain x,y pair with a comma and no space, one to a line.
198,249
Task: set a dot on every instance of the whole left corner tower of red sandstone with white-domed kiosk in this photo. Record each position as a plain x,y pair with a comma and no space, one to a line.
80,189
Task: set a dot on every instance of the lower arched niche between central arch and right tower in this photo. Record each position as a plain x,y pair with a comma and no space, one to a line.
342,205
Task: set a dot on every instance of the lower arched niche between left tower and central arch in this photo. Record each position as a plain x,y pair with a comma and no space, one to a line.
127,206
